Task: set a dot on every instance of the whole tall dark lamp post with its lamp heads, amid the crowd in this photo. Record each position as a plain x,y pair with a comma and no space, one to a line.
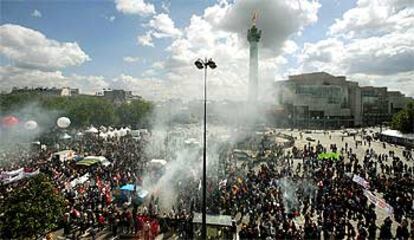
204,64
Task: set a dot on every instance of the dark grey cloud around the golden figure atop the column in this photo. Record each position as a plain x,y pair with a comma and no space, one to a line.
277,19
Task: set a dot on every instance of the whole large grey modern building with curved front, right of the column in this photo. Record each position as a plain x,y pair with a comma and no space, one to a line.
319,100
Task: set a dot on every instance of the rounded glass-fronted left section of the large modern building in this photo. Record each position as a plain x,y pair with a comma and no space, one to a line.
317,99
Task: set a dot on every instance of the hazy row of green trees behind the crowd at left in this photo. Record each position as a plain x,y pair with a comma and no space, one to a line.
82,110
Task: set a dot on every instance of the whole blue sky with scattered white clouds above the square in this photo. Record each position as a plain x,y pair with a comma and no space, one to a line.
108,33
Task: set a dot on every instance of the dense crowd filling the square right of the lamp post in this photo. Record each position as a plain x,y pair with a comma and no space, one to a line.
317,199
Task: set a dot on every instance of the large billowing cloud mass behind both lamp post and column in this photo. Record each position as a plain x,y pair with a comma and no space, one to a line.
220,32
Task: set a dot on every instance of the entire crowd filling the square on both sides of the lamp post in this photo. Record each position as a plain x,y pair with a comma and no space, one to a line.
283,194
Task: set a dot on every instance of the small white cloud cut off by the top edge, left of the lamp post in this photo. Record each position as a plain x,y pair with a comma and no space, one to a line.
139,7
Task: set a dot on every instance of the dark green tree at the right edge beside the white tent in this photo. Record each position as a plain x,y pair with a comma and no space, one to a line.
403,121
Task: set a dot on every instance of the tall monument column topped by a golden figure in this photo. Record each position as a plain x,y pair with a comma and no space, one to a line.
253,36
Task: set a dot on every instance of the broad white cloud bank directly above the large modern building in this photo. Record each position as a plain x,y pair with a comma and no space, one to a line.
379,55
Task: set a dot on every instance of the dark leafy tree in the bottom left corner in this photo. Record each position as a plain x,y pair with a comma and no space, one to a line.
31,210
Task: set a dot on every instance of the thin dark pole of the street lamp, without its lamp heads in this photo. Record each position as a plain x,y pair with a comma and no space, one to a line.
204,222
